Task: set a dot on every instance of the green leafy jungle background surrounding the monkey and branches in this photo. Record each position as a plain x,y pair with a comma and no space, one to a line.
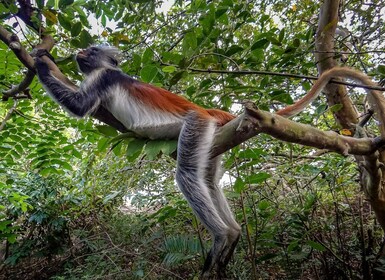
79,200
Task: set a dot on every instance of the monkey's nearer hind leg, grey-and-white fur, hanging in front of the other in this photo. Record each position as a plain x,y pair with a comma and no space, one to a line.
194,147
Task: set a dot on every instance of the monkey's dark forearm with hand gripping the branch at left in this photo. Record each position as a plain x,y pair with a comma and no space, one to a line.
75,101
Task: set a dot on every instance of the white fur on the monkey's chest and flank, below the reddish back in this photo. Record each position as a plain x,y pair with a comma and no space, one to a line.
142,118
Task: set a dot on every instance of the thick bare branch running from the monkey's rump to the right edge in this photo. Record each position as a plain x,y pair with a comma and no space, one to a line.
256,121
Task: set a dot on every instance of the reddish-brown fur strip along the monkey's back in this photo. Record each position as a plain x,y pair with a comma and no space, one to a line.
169,102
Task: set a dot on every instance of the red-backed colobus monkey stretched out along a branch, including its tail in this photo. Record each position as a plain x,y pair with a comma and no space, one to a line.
156,113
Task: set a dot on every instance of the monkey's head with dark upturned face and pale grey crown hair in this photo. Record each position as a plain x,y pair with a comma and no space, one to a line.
97,57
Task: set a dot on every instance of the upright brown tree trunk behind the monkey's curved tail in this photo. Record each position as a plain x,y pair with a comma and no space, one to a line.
371,166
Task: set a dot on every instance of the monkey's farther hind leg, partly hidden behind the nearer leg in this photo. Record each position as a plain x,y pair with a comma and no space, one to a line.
213,176
